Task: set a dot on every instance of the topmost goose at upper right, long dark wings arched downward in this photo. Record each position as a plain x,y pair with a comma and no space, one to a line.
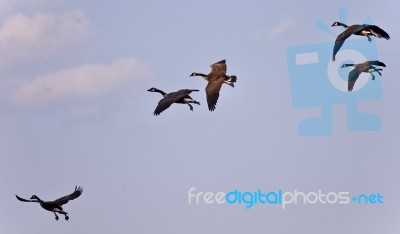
356,29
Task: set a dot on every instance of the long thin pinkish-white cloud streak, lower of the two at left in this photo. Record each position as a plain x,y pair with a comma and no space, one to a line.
90,81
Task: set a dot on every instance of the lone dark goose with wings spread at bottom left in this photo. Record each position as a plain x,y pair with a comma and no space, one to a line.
55,206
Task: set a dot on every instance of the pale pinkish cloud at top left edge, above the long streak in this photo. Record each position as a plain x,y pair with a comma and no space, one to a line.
24,38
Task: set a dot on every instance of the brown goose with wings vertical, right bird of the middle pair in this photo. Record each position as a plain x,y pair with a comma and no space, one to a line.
215,79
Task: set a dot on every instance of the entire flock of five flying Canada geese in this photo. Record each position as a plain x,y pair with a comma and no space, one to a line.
215,79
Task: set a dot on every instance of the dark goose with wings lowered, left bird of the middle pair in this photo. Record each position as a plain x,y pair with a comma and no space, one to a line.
181,97
